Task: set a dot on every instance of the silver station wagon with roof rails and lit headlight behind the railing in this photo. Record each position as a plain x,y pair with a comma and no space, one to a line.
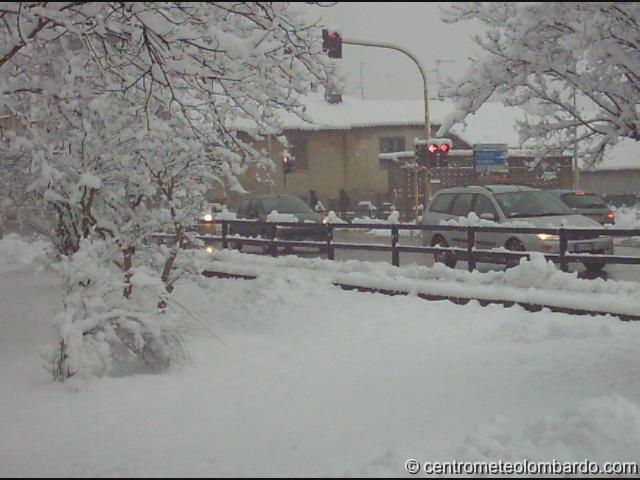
507,204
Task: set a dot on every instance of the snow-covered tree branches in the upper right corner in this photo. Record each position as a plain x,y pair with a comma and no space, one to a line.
538,55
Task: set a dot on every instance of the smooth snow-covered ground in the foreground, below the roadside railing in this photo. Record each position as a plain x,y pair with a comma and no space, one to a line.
292,376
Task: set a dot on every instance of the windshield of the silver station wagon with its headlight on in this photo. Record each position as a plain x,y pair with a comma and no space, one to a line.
530,203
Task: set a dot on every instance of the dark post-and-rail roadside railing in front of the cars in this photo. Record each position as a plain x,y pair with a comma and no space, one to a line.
471,254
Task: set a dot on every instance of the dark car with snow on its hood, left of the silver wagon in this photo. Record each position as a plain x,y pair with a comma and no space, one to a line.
259,208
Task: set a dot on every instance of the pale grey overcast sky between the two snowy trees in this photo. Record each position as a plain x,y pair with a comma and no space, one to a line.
416,27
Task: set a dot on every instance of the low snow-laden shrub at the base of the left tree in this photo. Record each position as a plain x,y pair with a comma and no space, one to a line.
101,330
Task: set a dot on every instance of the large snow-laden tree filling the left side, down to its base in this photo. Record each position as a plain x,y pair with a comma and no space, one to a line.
130,112
